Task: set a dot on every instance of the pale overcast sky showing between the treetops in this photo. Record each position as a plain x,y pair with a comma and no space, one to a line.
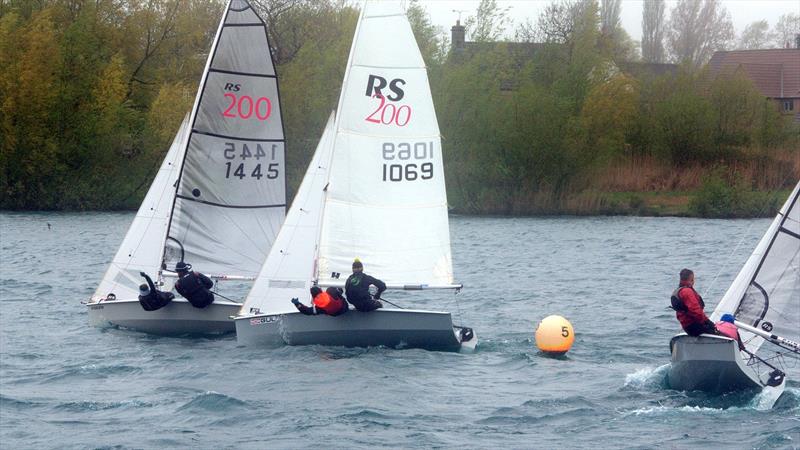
743,12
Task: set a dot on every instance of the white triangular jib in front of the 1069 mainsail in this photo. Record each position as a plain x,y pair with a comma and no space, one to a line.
289,268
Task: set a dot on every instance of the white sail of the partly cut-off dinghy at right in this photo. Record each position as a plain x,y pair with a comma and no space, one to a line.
767,289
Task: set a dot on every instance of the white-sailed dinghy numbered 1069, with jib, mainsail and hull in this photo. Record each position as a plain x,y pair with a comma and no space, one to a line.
374,190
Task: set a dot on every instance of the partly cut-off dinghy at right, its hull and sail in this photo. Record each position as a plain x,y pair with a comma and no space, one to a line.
765,301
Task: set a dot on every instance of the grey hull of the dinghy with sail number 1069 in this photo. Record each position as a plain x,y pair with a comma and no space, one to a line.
386,327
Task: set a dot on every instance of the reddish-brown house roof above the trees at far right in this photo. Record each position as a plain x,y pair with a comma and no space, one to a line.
775,72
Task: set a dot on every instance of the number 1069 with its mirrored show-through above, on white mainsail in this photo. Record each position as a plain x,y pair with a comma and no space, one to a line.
409,161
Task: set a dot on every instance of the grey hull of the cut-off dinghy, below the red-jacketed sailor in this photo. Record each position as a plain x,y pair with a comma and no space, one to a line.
709,363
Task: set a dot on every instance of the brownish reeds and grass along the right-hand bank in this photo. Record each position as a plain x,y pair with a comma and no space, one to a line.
752,185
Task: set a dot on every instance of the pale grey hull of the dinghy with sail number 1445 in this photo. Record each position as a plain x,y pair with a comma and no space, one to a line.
177,318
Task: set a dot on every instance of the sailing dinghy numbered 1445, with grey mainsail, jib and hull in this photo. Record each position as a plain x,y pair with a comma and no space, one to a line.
219,197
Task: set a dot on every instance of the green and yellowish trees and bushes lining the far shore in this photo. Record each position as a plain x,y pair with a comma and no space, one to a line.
90,98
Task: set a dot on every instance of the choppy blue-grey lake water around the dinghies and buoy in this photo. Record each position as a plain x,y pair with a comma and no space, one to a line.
64,384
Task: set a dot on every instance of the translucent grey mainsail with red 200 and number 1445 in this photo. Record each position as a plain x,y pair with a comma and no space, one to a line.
231,196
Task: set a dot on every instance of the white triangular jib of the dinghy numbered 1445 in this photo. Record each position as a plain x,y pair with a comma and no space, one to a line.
143,244
